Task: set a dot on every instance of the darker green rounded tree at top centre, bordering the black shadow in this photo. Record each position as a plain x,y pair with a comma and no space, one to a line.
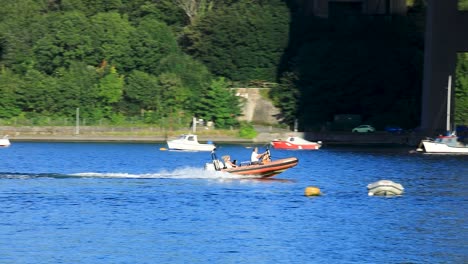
243,41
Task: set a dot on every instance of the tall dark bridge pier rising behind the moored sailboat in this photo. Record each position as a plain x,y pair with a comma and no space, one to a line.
446,35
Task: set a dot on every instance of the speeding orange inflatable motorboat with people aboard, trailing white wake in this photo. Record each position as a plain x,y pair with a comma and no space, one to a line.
264,169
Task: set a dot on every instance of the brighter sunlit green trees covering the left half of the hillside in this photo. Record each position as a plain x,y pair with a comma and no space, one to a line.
107,57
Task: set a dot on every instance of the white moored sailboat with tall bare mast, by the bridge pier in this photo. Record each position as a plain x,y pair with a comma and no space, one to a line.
444,144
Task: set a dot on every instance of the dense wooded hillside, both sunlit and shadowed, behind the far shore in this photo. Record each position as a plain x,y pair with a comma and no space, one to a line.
168,60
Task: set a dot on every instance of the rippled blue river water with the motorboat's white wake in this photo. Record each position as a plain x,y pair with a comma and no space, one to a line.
138,203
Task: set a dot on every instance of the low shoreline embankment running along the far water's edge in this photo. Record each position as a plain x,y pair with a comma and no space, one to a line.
265,135
